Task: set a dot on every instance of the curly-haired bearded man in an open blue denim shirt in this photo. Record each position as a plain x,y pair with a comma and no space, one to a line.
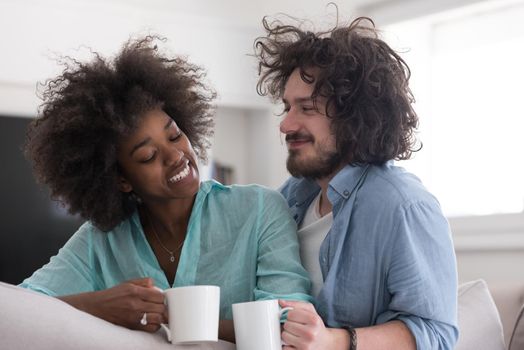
374,240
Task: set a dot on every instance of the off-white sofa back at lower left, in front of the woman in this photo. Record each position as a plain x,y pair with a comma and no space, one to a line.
31,320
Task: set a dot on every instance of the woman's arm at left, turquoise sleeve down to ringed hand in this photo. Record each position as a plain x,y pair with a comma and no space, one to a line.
74,276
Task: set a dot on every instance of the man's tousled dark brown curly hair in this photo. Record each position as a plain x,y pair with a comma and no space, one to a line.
364,82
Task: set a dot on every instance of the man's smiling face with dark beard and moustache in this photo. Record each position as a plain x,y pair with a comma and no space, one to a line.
310,142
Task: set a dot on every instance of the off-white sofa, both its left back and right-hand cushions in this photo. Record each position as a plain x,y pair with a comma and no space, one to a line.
34,321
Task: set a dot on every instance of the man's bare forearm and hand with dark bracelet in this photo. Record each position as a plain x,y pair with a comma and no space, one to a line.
305,330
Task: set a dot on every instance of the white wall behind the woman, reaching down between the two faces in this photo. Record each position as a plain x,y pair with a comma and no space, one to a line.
35,33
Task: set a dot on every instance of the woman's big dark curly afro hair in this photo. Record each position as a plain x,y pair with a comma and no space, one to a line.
72,143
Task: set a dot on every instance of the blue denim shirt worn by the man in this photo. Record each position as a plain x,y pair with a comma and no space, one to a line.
388,256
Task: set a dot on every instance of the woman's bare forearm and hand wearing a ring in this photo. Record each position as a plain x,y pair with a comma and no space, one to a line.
125,304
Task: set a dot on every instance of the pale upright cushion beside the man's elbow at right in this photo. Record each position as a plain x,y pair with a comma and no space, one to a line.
478,318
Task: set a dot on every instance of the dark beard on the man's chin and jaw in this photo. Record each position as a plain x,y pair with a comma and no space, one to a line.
323,165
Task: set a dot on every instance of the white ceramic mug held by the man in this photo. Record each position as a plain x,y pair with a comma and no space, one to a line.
257,325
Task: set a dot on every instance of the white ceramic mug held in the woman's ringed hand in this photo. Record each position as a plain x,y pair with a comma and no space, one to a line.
193,314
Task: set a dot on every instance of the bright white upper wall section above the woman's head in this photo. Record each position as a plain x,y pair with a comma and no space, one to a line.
34,32
